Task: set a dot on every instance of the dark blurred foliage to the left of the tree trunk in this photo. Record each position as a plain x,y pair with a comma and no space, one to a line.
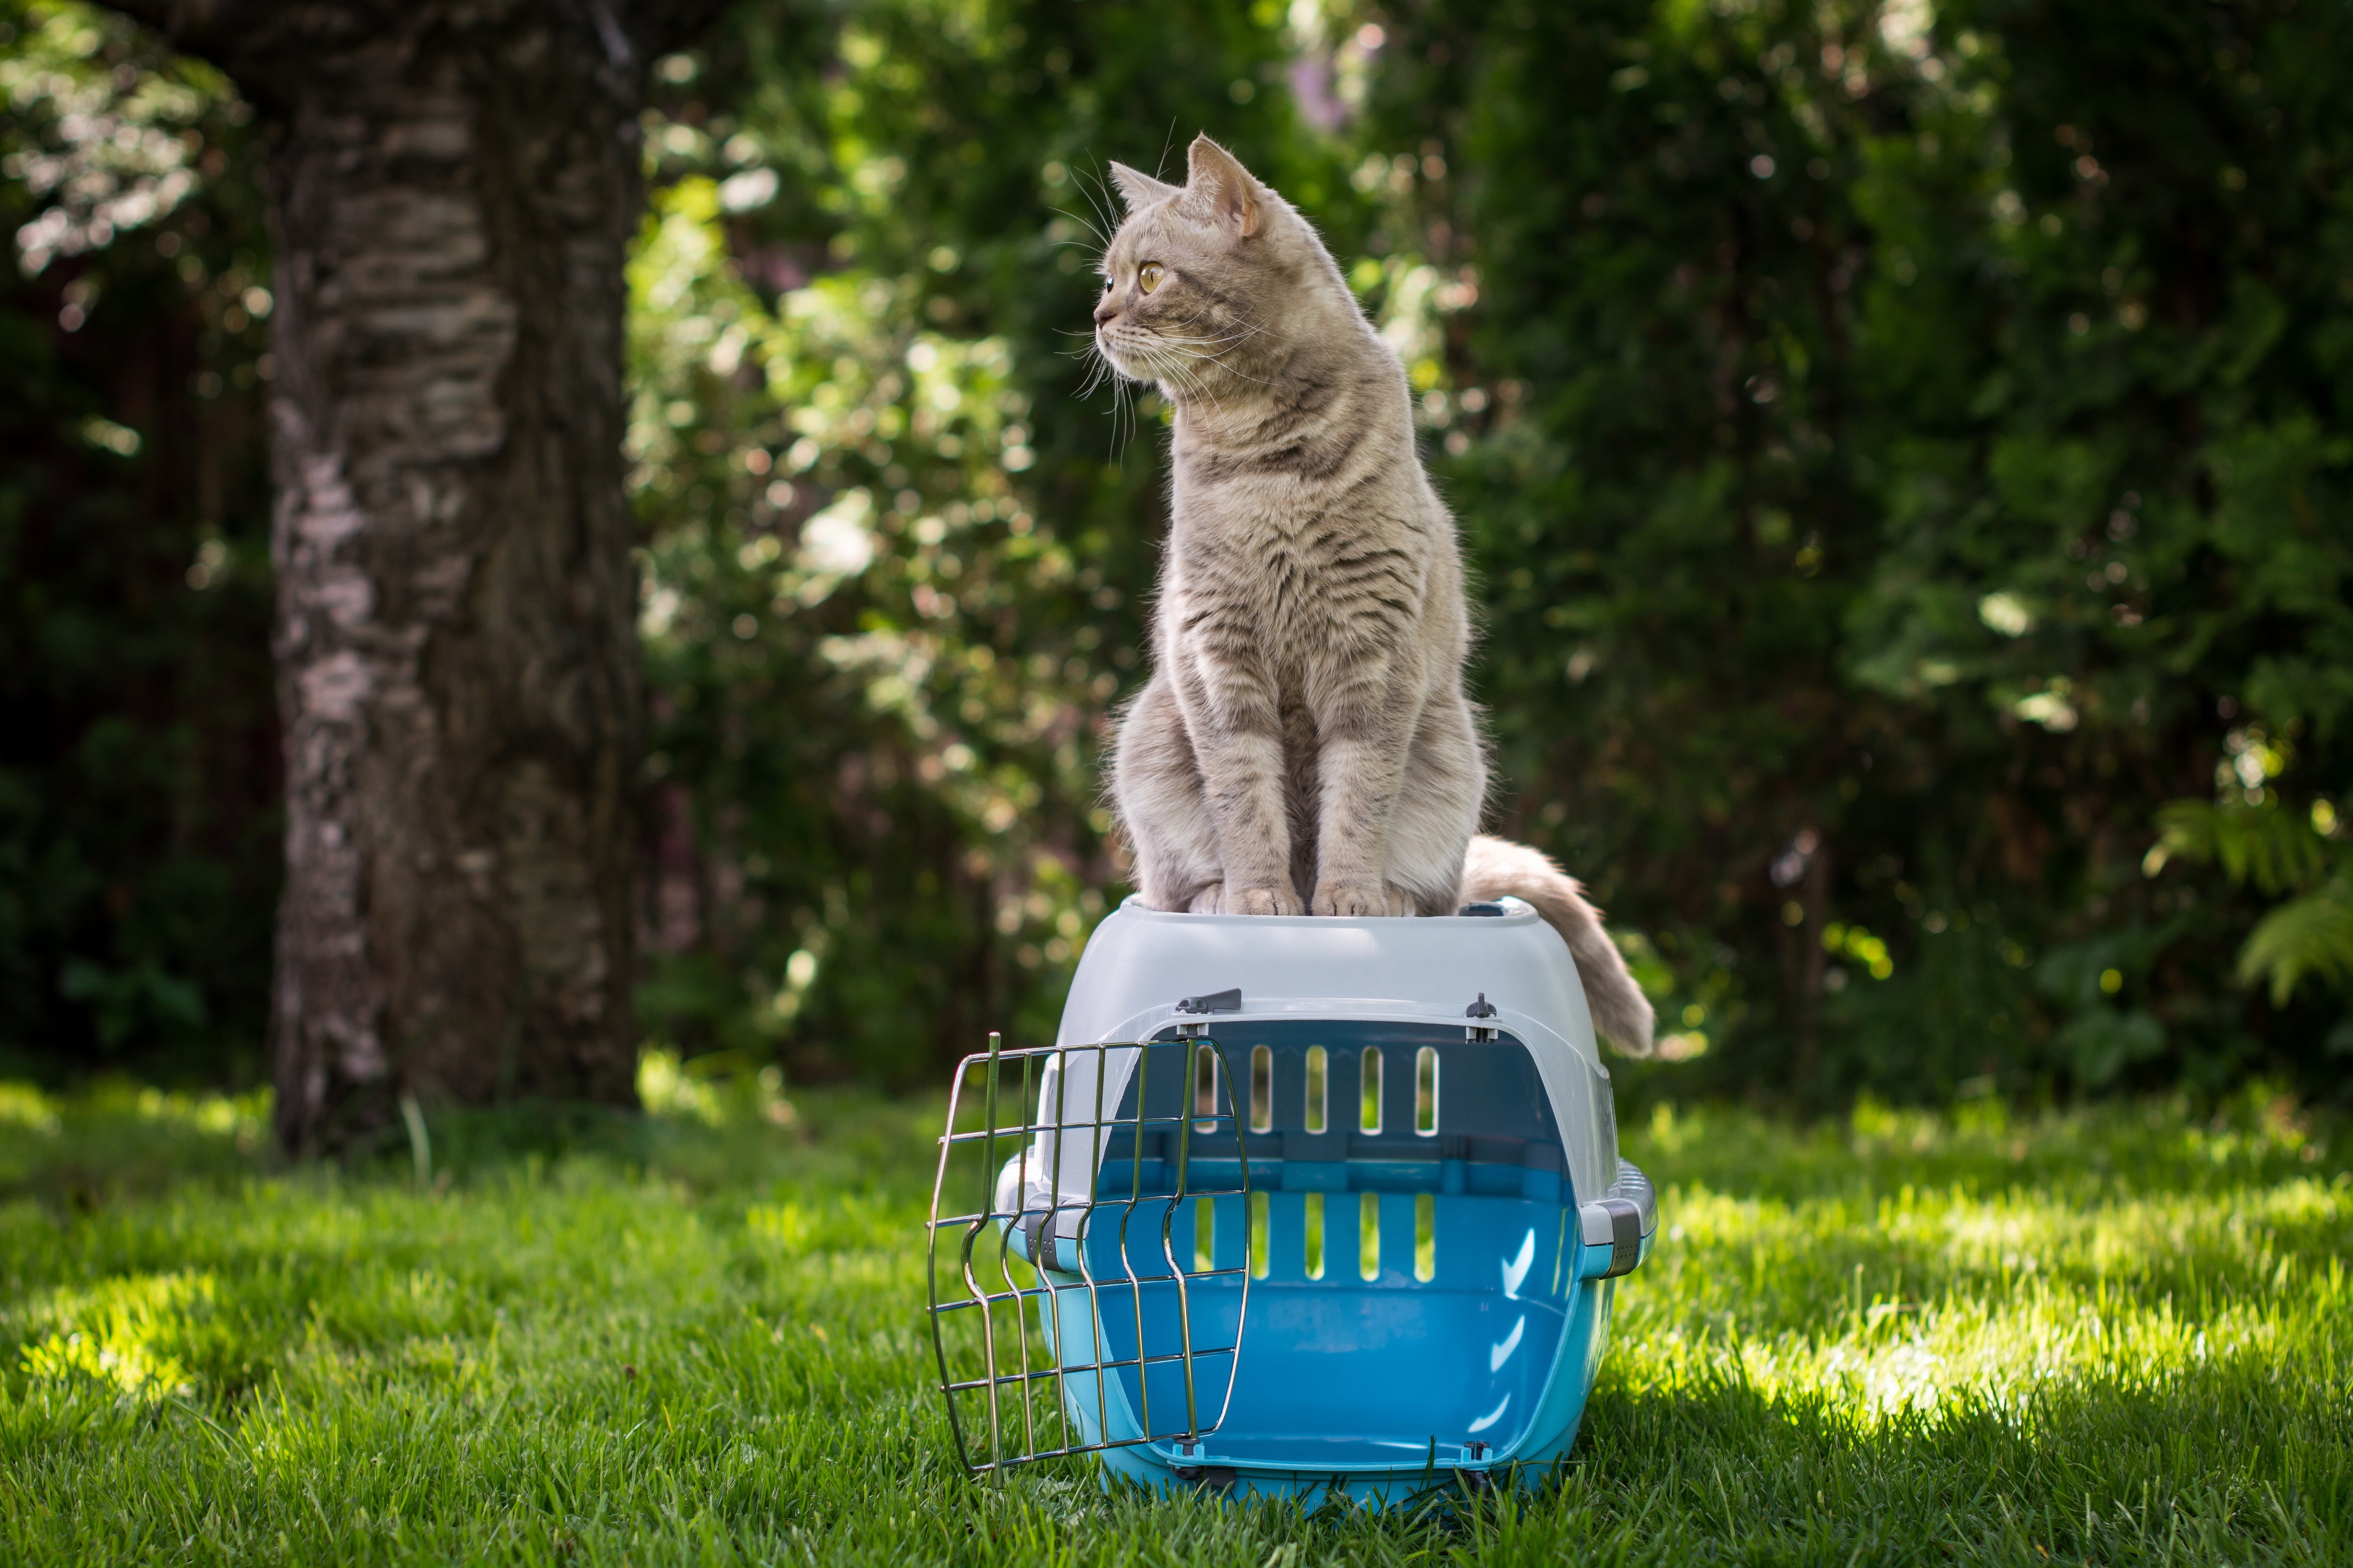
138,739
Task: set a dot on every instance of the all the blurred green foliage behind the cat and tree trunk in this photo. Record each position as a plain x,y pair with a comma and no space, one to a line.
1905,450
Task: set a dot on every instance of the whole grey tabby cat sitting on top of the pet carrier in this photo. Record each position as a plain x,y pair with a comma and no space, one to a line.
1305,744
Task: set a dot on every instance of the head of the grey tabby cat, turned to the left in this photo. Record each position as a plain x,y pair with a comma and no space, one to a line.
1208,281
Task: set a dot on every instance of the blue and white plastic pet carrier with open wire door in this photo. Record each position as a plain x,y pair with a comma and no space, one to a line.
1288,1205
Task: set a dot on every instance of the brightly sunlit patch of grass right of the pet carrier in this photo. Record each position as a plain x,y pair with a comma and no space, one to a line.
1940,1294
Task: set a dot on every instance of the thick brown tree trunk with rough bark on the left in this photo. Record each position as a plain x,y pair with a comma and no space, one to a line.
453,189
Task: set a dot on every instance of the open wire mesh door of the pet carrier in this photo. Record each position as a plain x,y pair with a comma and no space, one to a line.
1088,1249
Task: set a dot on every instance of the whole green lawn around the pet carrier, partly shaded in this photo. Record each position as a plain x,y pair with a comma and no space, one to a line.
2114,1336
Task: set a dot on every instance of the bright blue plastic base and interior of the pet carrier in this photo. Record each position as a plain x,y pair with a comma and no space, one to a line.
1460,1334
